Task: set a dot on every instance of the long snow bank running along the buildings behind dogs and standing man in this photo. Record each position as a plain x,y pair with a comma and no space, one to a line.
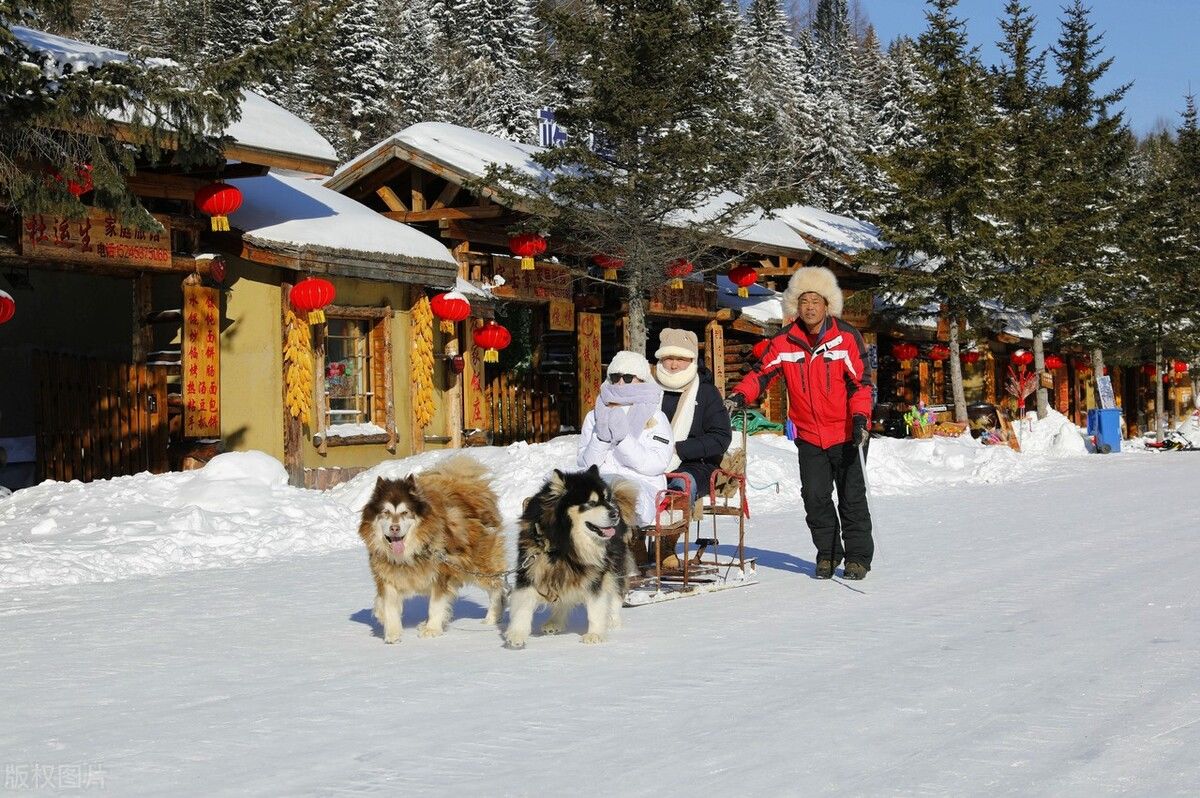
239,508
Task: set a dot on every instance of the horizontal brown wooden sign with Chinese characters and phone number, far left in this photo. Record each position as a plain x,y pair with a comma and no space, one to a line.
97,238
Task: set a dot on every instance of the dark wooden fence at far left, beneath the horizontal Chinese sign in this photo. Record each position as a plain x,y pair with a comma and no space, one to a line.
95,419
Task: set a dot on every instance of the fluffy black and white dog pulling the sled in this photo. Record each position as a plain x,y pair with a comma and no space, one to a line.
573,549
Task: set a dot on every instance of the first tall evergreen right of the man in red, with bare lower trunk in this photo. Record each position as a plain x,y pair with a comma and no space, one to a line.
941,235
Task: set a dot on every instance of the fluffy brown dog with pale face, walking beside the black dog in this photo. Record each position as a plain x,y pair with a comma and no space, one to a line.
430,535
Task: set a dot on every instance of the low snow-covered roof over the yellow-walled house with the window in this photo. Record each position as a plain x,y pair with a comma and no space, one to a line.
297,217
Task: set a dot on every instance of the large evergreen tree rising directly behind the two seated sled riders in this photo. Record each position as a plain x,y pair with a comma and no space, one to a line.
651,89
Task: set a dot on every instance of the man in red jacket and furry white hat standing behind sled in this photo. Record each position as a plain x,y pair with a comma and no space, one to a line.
824,364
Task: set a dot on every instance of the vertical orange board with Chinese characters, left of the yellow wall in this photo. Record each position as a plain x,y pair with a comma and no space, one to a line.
202,361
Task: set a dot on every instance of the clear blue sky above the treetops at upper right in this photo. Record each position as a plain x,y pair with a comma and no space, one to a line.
1156,44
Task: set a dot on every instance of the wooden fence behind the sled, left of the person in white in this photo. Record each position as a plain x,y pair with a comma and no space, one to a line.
527,407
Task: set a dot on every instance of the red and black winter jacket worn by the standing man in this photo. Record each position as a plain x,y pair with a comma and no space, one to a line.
829,383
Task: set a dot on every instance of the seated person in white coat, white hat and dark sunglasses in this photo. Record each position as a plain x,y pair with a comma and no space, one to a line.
627,435
